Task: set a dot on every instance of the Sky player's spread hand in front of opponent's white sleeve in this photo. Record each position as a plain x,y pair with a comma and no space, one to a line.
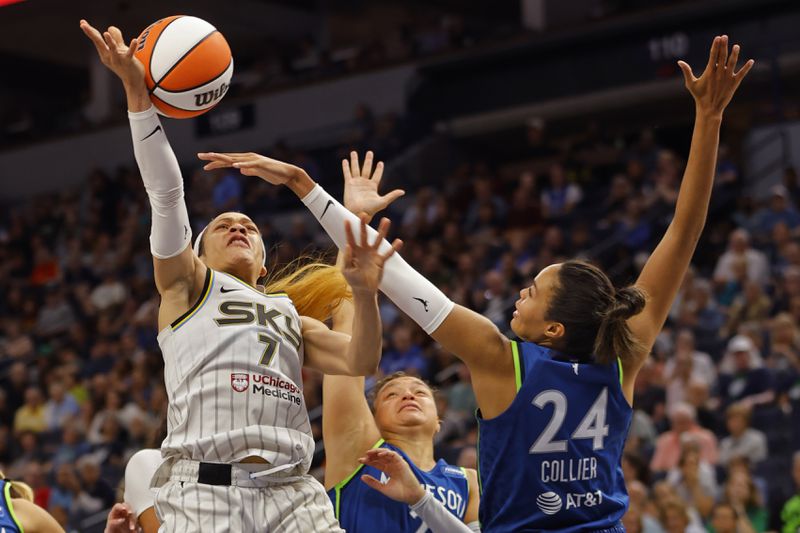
363,263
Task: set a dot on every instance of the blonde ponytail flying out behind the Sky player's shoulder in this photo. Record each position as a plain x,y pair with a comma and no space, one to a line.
315,288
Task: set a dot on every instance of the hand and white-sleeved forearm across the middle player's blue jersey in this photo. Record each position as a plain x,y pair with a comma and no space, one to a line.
404,487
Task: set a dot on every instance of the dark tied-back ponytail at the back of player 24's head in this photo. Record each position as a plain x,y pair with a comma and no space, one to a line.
614,337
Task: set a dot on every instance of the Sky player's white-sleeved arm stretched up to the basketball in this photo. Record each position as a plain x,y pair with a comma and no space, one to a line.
178,273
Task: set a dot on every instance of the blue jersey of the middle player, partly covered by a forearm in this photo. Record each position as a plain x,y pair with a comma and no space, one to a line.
362,509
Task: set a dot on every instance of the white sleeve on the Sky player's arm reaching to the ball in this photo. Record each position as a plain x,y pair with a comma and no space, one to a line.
170,231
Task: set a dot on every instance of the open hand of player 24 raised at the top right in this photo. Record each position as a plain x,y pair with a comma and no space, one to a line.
713,90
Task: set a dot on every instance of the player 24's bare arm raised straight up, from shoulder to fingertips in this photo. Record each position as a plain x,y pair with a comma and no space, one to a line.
662,274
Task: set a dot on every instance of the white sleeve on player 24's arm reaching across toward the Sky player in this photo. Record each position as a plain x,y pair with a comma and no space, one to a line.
408,289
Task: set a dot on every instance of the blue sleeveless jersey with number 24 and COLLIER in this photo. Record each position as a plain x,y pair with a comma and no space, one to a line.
552,460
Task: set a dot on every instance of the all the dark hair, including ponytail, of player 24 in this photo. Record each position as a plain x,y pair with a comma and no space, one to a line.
594,314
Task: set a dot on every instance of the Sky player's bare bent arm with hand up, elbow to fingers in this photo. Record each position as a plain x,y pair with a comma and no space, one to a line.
363,270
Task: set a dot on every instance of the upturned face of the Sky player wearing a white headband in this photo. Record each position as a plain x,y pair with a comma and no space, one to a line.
231,241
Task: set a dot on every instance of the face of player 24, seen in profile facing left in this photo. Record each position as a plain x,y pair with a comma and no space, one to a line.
528,322
